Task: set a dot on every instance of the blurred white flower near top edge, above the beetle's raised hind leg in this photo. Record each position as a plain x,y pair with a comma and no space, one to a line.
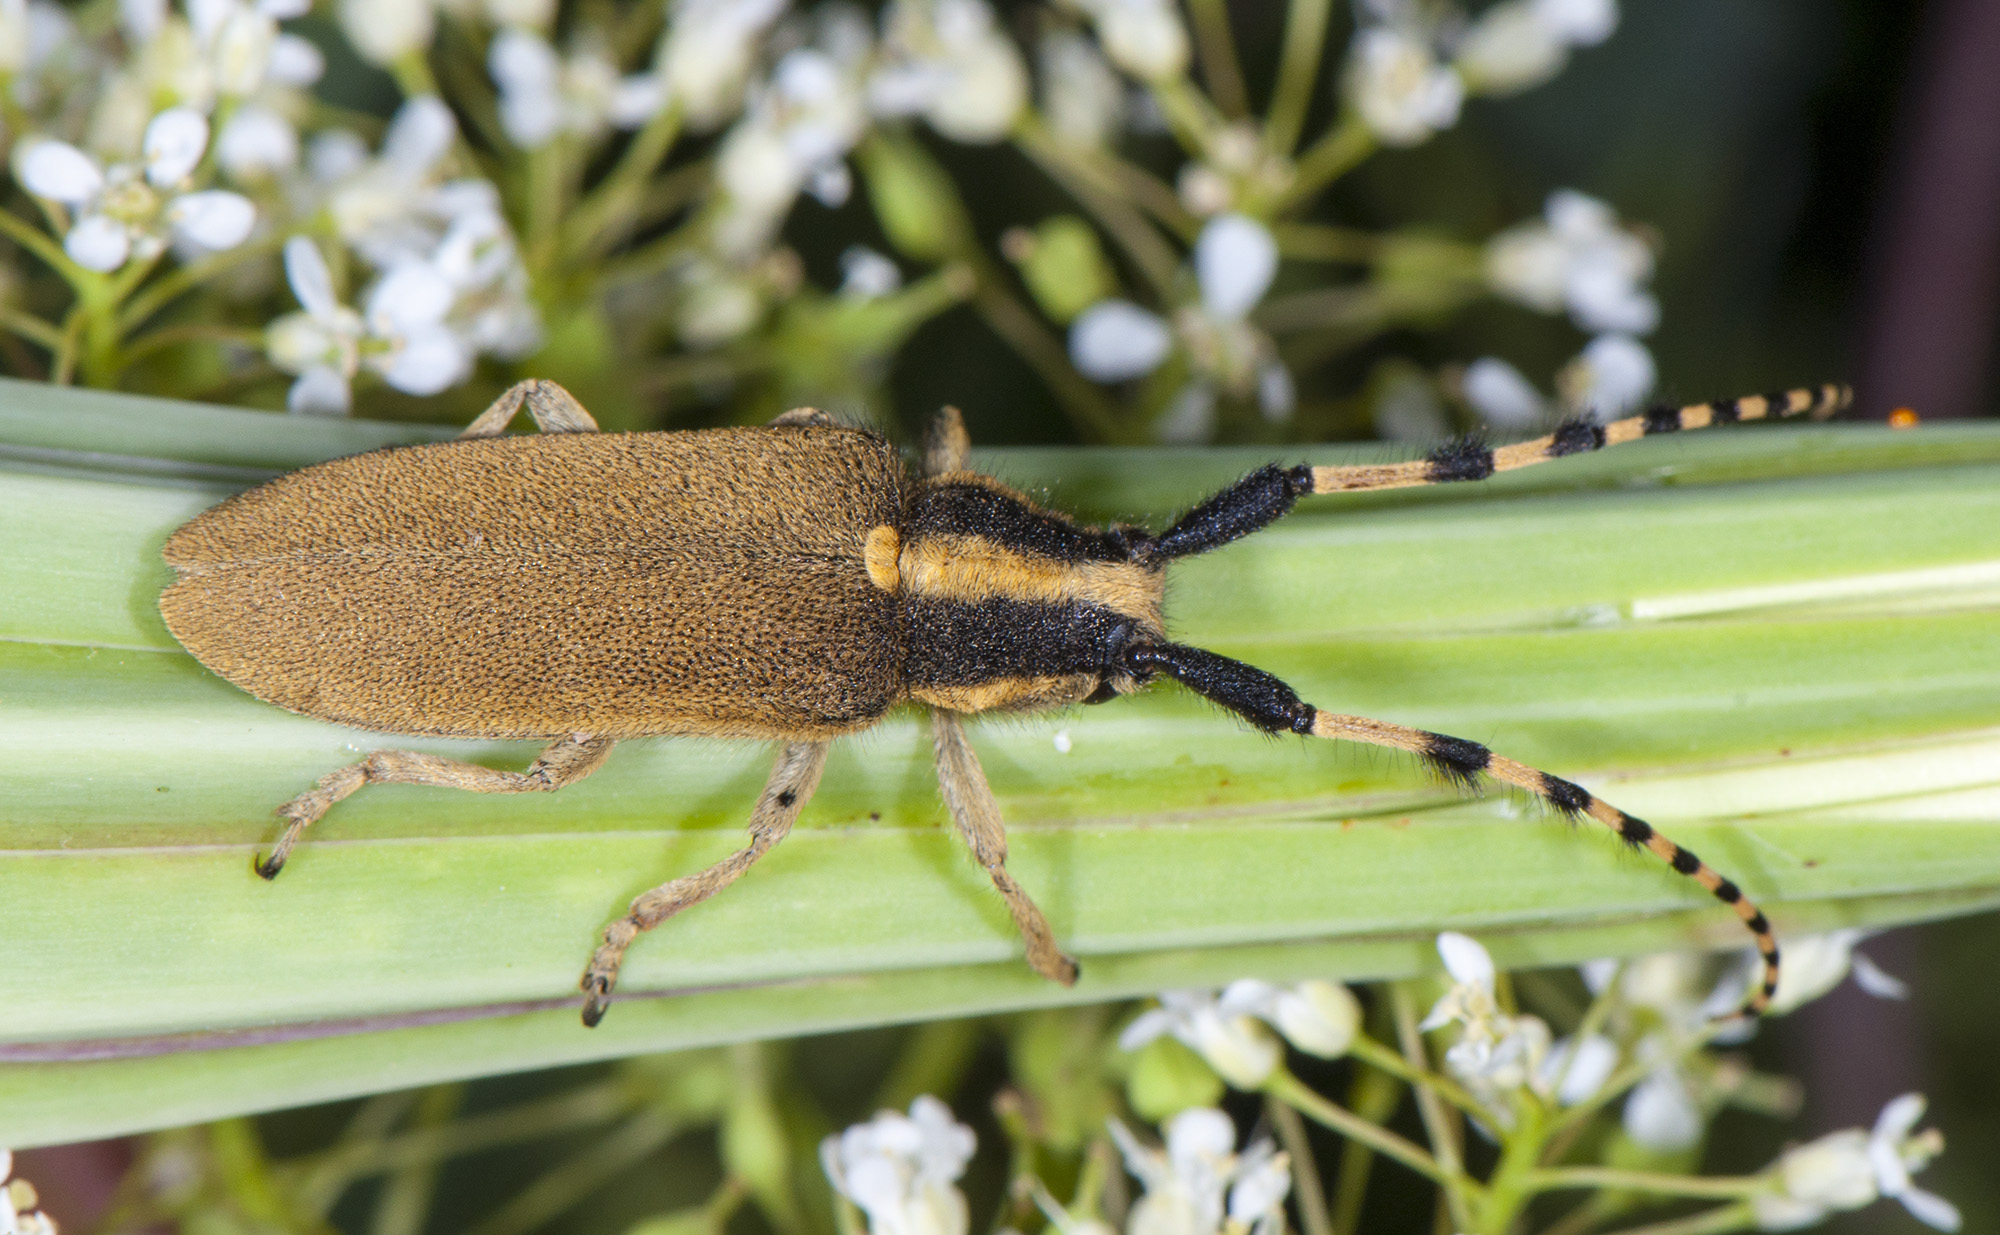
543,95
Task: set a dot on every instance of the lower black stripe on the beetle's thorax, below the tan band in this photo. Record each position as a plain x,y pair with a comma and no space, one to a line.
955,642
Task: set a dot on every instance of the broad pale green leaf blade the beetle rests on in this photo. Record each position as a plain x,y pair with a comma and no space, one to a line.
1779,646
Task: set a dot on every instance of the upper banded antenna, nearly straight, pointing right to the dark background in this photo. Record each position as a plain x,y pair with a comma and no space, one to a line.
1271,493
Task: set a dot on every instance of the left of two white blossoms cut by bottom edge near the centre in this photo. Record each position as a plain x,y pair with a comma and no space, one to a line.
899,1170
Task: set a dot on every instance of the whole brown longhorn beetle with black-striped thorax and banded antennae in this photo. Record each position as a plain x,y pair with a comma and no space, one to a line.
789,583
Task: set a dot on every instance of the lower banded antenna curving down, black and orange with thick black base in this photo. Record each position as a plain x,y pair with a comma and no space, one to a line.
1275,708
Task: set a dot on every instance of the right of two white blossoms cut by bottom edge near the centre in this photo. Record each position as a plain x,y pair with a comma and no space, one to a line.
1199,1186
